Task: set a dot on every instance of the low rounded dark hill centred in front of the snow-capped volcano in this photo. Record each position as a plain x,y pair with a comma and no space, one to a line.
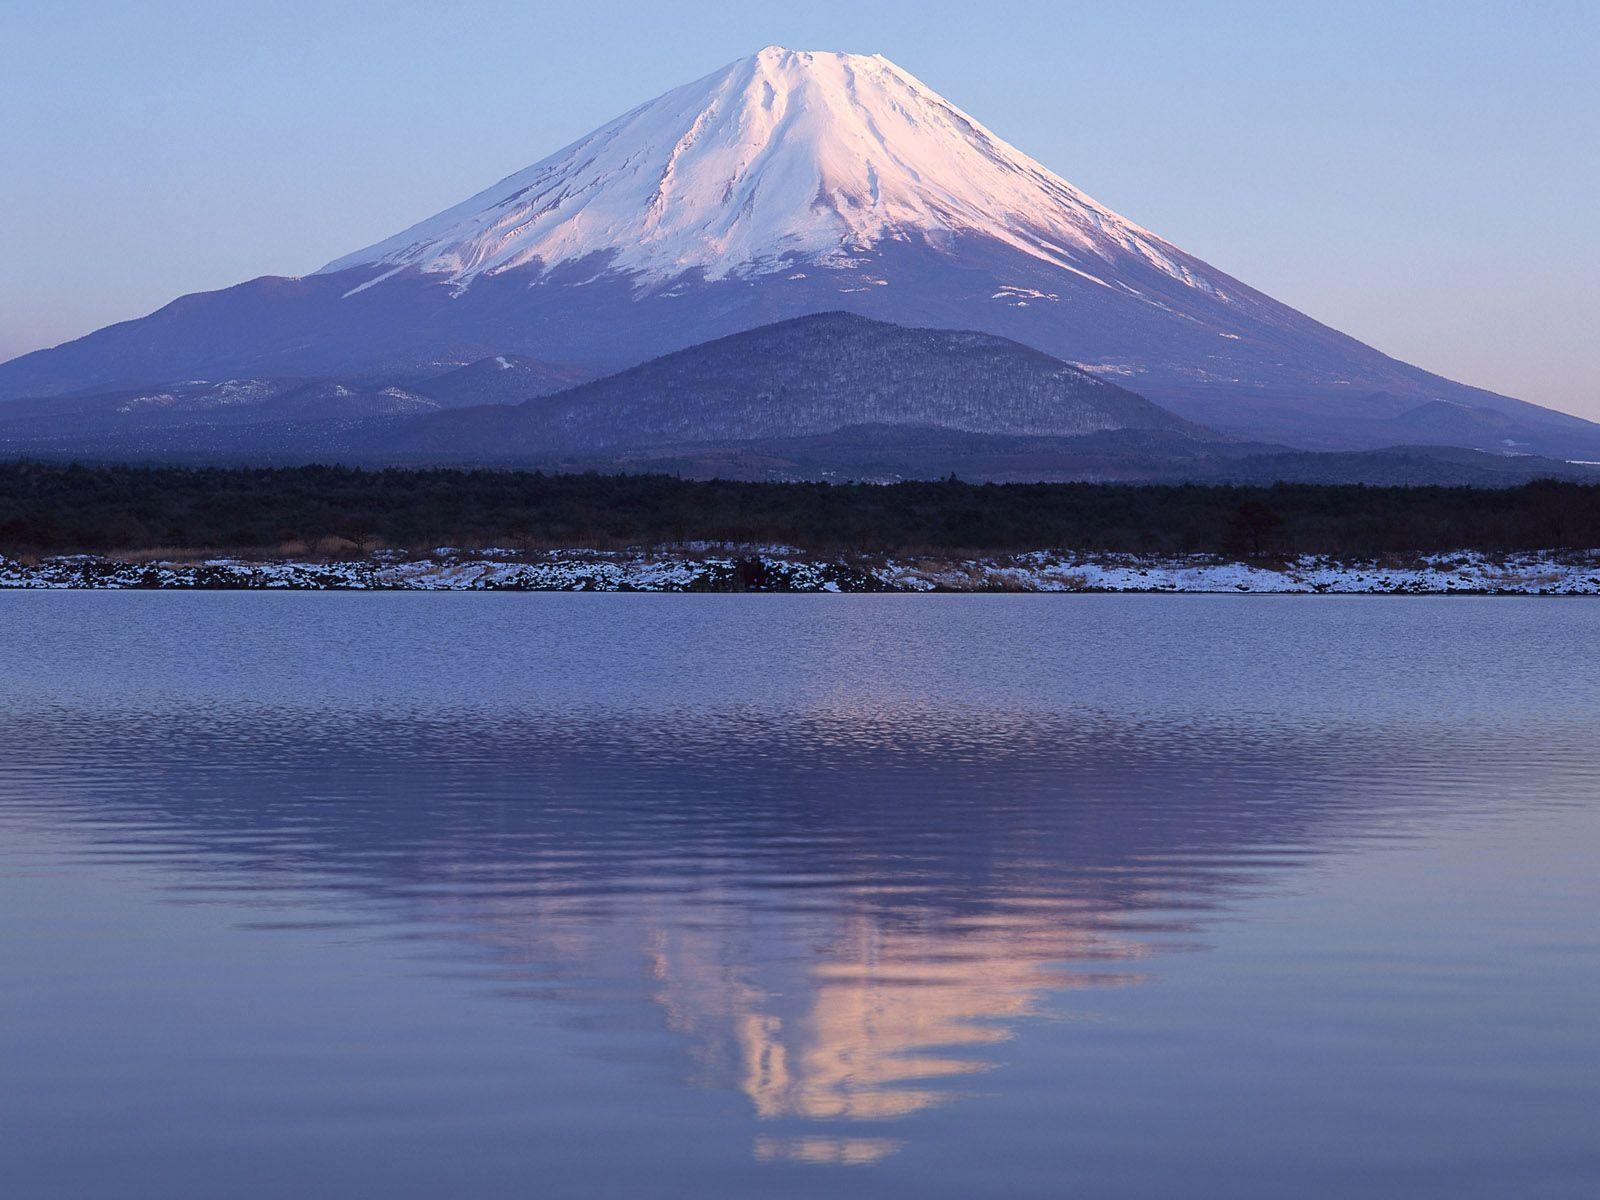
798,378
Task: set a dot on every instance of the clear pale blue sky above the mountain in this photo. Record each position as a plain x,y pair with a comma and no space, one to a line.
1423,175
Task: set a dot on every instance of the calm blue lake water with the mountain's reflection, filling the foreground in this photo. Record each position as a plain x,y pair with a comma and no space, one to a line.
798,897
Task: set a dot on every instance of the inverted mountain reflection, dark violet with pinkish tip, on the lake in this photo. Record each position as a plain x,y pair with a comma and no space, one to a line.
841,913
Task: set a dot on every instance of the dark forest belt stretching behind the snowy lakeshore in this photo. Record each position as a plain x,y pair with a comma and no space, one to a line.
52,508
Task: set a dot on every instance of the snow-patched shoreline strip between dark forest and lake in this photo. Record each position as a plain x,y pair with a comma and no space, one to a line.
780,570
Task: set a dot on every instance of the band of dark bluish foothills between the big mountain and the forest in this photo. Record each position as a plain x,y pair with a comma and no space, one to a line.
823,398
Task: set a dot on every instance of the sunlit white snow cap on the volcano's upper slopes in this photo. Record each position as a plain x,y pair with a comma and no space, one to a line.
782,156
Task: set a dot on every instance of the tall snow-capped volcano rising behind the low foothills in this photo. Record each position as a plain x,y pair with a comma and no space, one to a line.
786,185
